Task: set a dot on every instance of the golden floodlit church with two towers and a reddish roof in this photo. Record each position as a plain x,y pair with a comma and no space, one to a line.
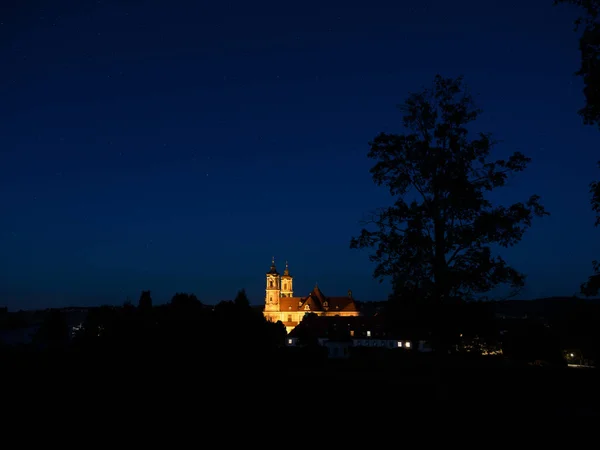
280,303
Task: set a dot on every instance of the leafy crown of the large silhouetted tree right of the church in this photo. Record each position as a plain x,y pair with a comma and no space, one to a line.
435,240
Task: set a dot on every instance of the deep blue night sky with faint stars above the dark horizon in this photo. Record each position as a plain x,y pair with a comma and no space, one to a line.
177,146
